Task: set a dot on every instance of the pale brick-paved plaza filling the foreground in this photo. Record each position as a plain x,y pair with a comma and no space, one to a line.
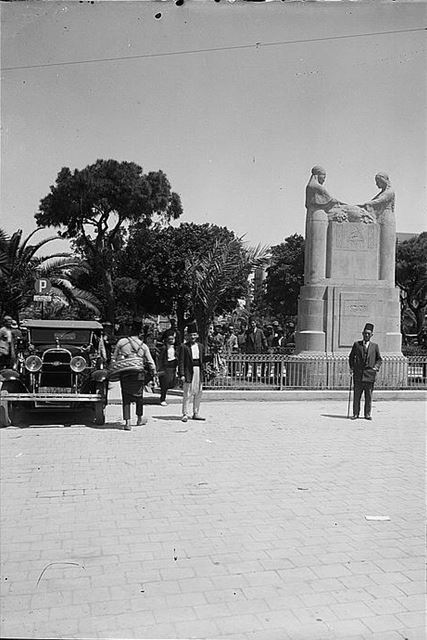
251,525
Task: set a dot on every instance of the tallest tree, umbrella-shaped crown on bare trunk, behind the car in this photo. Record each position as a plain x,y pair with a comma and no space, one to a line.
94,205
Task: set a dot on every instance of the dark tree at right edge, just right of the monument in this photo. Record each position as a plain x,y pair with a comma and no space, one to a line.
411,277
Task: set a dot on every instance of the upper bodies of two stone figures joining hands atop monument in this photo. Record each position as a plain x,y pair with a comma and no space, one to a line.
370,212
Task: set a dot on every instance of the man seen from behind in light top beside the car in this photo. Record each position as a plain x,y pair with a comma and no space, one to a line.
132,382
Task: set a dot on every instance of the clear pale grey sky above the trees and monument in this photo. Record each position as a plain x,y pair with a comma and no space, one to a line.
235,102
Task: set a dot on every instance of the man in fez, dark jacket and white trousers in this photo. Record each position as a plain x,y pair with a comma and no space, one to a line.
190,371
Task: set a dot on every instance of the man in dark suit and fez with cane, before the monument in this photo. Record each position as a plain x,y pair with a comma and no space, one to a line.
365,360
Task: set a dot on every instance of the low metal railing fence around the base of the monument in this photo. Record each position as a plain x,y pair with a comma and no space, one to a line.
281,371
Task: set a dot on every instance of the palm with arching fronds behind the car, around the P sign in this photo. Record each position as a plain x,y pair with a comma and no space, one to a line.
20,267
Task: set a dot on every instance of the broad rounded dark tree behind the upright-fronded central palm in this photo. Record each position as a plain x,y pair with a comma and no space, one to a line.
160,267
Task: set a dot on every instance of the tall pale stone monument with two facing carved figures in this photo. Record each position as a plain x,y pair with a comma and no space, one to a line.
349,272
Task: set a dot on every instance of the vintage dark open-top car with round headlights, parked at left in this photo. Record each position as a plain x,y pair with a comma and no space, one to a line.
58,368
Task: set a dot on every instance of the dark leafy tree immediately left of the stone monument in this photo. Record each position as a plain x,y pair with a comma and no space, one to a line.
285,277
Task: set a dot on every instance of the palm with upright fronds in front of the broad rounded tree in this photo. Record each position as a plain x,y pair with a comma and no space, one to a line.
211,275
